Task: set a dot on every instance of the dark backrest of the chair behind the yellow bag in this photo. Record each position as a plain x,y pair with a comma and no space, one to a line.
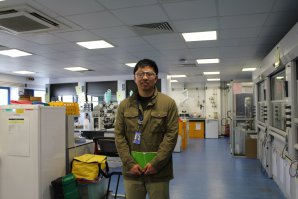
105,146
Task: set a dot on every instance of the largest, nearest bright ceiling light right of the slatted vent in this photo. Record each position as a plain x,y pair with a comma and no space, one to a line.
200,36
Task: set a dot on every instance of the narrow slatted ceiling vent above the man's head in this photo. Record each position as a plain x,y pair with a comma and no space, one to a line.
153,28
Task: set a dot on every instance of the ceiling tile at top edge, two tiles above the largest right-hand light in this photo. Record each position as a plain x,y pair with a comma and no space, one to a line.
191,9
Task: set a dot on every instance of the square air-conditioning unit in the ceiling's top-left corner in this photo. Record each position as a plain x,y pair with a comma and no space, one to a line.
25,20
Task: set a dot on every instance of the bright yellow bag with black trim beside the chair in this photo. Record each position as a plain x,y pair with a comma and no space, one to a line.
89,166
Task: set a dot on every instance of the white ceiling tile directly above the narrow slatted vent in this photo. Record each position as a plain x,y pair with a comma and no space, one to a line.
141,15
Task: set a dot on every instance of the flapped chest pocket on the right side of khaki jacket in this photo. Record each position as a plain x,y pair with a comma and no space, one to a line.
158,121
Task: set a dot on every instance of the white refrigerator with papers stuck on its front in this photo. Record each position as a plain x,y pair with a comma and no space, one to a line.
32,150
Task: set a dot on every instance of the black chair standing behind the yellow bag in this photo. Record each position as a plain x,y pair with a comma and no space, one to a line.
106,146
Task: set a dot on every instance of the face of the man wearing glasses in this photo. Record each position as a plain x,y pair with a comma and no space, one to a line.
145,78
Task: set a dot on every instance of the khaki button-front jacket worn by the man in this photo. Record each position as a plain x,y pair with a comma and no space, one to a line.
159,134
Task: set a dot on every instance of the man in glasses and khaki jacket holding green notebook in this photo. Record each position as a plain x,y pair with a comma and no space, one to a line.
147,122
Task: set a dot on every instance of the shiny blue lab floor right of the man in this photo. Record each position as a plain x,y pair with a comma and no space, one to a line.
207,170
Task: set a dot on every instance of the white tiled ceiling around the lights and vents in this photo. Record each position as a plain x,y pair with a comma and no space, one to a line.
246,31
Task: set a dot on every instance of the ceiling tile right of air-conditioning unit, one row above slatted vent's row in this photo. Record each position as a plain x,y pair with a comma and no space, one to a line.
95,20
